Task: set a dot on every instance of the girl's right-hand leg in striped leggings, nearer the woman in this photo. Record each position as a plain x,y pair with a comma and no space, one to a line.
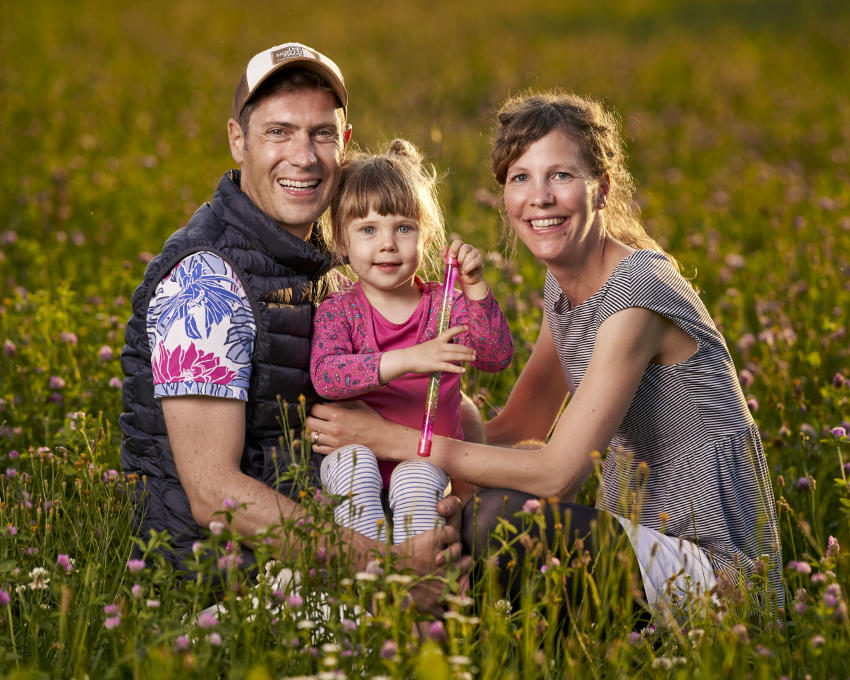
415,488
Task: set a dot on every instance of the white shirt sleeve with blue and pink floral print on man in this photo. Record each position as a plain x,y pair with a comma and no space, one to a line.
201,331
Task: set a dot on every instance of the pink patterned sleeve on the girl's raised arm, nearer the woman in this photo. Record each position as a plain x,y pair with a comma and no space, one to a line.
488,332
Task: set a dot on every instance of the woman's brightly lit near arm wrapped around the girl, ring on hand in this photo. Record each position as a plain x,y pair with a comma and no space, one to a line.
625,344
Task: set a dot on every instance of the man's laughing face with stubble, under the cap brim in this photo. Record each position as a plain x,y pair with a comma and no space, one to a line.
290,156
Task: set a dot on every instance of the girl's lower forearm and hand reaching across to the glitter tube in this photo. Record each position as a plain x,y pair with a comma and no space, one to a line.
439,354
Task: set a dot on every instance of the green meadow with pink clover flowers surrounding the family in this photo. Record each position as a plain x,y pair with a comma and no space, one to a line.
112,131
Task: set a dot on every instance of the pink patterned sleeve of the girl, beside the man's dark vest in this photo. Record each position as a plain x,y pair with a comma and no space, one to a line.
336,369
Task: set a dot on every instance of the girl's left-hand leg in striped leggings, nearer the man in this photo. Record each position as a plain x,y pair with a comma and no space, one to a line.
353,471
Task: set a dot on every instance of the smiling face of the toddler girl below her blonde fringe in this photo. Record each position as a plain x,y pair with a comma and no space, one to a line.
385,251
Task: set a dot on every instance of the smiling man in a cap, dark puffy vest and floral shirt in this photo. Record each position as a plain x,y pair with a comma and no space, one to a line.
220,332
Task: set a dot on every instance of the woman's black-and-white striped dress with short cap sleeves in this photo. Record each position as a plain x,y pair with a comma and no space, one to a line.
707,477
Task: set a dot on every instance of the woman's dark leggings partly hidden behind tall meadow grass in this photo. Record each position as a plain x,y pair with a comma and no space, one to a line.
482,514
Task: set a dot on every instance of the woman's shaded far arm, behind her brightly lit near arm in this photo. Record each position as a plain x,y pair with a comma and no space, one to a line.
536,398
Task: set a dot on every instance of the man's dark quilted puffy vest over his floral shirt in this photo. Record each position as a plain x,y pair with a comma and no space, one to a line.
281,275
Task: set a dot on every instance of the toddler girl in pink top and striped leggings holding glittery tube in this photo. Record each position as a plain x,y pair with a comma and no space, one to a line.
376,340
